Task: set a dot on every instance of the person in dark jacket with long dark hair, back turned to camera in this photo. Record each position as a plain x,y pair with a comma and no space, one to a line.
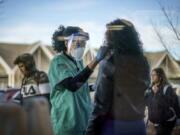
122,80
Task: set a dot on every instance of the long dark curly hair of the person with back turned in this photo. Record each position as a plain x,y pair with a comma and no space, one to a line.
125,41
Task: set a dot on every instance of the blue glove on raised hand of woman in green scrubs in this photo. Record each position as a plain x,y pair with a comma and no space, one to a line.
101,53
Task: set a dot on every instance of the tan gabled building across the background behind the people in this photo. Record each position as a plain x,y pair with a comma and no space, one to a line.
11,76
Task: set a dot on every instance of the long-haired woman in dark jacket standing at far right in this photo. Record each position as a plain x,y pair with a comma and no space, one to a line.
162,102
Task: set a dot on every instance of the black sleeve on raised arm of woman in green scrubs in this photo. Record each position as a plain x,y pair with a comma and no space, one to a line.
74,83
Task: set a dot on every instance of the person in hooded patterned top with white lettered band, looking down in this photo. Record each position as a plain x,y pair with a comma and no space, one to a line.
34,83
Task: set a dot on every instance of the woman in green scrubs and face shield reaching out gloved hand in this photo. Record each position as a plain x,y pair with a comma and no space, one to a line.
70,99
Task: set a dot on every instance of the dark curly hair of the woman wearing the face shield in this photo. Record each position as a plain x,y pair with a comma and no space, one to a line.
62,31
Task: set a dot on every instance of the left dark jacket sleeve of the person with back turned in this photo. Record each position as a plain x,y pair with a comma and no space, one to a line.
103,99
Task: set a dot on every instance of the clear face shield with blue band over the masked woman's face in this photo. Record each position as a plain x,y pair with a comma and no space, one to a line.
77,44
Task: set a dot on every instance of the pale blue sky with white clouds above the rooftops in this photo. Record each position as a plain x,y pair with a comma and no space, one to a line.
27,21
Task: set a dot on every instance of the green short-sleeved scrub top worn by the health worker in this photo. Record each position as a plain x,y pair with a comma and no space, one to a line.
70,110
